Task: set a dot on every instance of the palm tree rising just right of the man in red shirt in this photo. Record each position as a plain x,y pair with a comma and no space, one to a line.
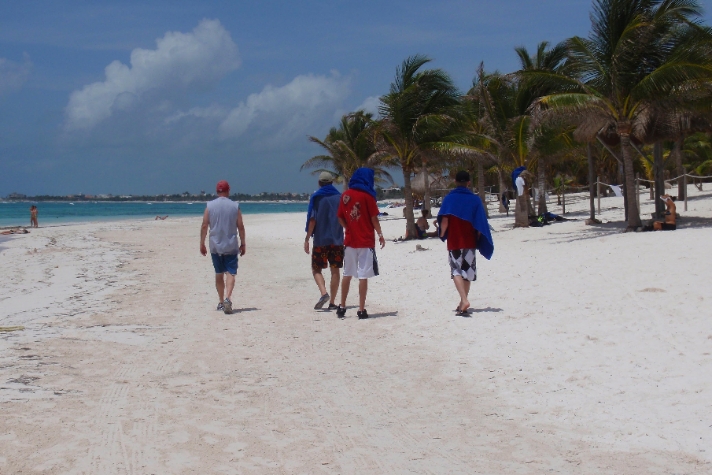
415,116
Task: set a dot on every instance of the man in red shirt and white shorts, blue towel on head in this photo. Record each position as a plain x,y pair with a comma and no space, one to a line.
358,214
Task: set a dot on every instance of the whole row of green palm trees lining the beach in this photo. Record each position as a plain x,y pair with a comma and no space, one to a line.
642,76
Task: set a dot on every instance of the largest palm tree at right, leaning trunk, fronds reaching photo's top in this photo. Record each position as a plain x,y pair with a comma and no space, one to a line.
637,54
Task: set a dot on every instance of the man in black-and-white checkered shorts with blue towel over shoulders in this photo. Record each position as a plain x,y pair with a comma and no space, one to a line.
463,224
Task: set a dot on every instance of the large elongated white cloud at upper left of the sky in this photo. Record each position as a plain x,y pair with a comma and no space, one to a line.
180,62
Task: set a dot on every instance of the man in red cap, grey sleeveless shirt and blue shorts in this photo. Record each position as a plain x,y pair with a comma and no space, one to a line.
224,220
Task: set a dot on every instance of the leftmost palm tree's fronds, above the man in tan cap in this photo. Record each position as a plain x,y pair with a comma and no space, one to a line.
349,147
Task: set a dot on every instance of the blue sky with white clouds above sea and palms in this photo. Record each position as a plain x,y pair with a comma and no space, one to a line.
171,96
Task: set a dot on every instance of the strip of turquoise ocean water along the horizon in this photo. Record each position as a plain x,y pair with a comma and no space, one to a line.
18,214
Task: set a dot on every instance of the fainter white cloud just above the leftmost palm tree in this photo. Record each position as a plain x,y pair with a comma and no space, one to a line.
288,111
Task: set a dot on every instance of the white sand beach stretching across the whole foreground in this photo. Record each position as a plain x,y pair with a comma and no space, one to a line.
588,351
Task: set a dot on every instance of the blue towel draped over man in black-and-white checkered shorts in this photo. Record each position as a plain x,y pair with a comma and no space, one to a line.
464,204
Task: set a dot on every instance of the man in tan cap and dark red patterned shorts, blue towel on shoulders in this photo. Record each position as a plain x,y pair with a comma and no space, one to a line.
328,249
